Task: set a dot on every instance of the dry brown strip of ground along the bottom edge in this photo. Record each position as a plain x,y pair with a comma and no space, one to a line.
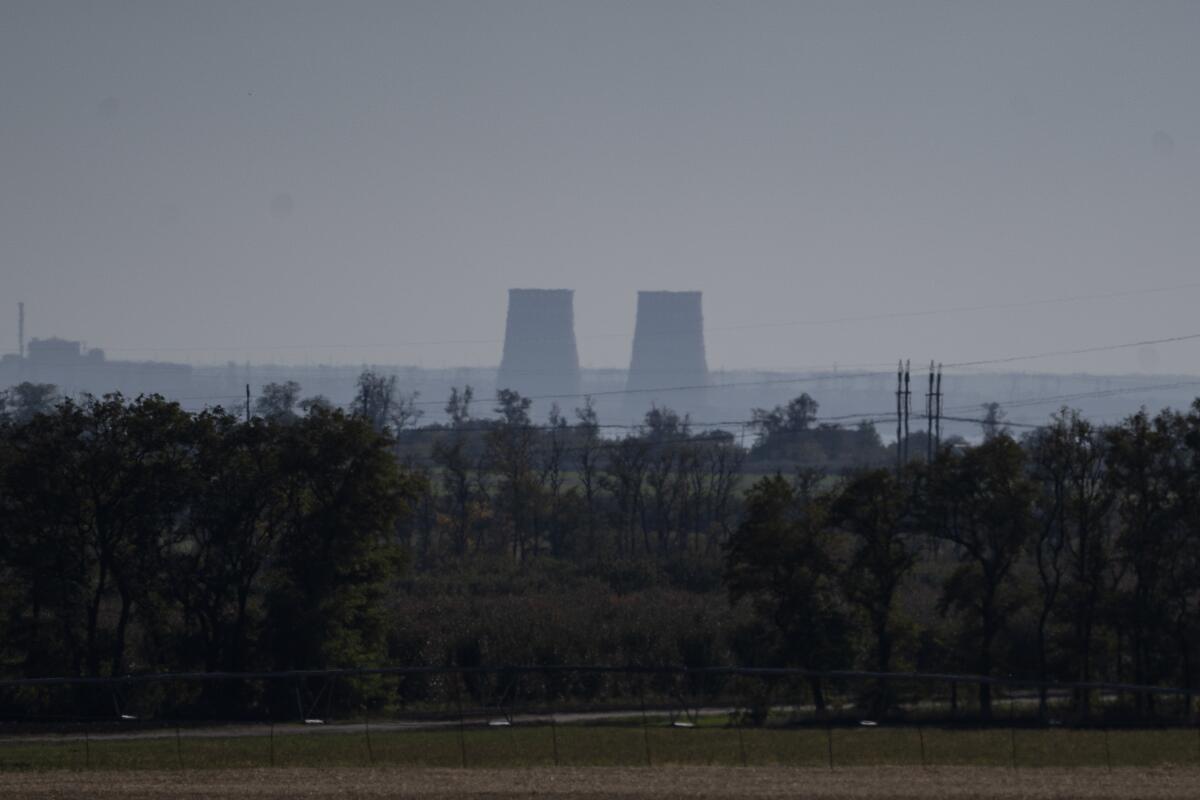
633,784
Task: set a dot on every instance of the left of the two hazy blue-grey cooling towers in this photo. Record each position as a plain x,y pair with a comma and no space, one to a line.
539,344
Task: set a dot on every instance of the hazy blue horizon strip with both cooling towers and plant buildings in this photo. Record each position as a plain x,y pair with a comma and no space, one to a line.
541,359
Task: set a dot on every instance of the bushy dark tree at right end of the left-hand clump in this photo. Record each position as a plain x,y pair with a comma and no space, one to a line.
337,554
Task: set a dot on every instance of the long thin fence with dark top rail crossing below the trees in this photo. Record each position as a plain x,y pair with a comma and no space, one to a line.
519,717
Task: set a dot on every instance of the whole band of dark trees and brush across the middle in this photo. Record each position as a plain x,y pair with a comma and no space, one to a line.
136,537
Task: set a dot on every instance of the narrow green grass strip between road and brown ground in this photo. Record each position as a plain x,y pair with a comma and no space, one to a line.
605,745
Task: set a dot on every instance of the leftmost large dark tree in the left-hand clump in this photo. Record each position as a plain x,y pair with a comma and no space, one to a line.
101,486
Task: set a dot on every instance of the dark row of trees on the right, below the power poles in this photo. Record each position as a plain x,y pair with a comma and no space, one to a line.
1071,555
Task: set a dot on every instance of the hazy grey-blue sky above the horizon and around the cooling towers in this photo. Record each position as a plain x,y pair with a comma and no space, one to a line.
363,182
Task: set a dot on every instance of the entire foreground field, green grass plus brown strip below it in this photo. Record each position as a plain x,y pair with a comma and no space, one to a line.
604,761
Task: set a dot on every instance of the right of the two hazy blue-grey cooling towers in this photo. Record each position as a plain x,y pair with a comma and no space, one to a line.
669,345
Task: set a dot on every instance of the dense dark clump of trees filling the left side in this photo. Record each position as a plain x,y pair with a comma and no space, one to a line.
140,537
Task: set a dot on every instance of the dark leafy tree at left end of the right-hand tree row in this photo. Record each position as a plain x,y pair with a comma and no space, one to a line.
781,561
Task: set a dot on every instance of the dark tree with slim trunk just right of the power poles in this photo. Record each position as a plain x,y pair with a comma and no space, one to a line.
981,502
